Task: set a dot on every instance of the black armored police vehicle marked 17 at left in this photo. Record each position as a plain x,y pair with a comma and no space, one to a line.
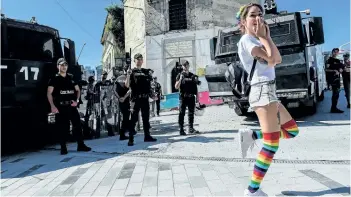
29,52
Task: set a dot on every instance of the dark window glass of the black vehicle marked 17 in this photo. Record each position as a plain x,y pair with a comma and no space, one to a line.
25,44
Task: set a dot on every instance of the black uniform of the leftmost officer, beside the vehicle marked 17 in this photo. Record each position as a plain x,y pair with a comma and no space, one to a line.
63,95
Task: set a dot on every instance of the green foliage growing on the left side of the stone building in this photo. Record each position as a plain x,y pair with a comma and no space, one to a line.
116,25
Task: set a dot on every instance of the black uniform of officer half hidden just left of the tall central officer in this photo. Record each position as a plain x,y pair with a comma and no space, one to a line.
122,90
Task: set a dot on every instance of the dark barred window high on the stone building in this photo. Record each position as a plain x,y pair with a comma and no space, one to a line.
177,14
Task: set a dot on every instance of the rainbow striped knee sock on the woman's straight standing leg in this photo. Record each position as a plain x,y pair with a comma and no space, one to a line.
264,159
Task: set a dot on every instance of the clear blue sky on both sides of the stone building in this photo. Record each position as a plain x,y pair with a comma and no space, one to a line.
83,20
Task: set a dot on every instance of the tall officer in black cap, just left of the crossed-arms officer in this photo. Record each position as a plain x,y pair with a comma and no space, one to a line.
139,80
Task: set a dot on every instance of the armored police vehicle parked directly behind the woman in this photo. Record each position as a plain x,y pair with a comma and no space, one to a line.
300,78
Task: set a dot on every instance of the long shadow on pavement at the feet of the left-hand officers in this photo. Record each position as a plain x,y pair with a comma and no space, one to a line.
38,163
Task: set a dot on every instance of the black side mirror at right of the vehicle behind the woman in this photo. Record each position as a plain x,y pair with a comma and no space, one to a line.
316,30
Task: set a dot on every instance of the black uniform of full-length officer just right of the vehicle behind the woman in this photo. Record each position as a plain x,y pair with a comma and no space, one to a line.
334,80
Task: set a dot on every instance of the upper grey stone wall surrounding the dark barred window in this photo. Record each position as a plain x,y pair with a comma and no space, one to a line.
201,14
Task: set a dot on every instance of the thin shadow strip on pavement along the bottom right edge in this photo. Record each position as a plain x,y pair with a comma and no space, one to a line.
345,191
